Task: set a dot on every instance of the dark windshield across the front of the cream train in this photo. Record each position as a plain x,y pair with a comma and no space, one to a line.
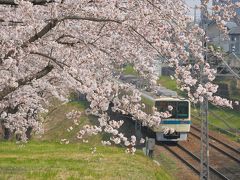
180,108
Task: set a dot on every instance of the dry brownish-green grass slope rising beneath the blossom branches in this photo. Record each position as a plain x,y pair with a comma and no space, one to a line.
56,123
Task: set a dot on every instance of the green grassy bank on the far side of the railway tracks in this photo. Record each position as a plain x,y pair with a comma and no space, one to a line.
221,117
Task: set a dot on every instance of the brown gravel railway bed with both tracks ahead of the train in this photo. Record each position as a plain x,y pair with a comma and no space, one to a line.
219,149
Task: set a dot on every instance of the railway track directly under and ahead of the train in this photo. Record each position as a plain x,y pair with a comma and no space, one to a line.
191,160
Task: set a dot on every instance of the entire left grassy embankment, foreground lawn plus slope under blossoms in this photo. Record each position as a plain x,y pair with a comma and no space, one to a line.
48,159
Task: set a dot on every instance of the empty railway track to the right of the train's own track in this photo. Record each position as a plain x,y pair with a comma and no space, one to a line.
220,146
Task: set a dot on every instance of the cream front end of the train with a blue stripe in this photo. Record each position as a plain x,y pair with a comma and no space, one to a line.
179,121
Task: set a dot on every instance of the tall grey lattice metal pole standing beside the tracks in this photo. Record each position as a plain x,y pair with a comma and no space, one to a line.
204,173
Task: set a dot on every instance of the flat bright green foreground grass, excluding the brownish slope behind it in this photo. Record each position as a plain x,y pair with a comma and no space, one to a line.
49,160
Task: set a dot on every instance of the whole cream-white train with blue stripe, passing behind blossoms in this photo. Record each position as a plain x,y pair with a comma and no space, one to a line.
180,120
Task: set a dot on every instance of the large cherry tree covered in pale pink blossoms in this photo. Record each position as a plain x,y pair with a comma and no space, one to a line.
49,48
